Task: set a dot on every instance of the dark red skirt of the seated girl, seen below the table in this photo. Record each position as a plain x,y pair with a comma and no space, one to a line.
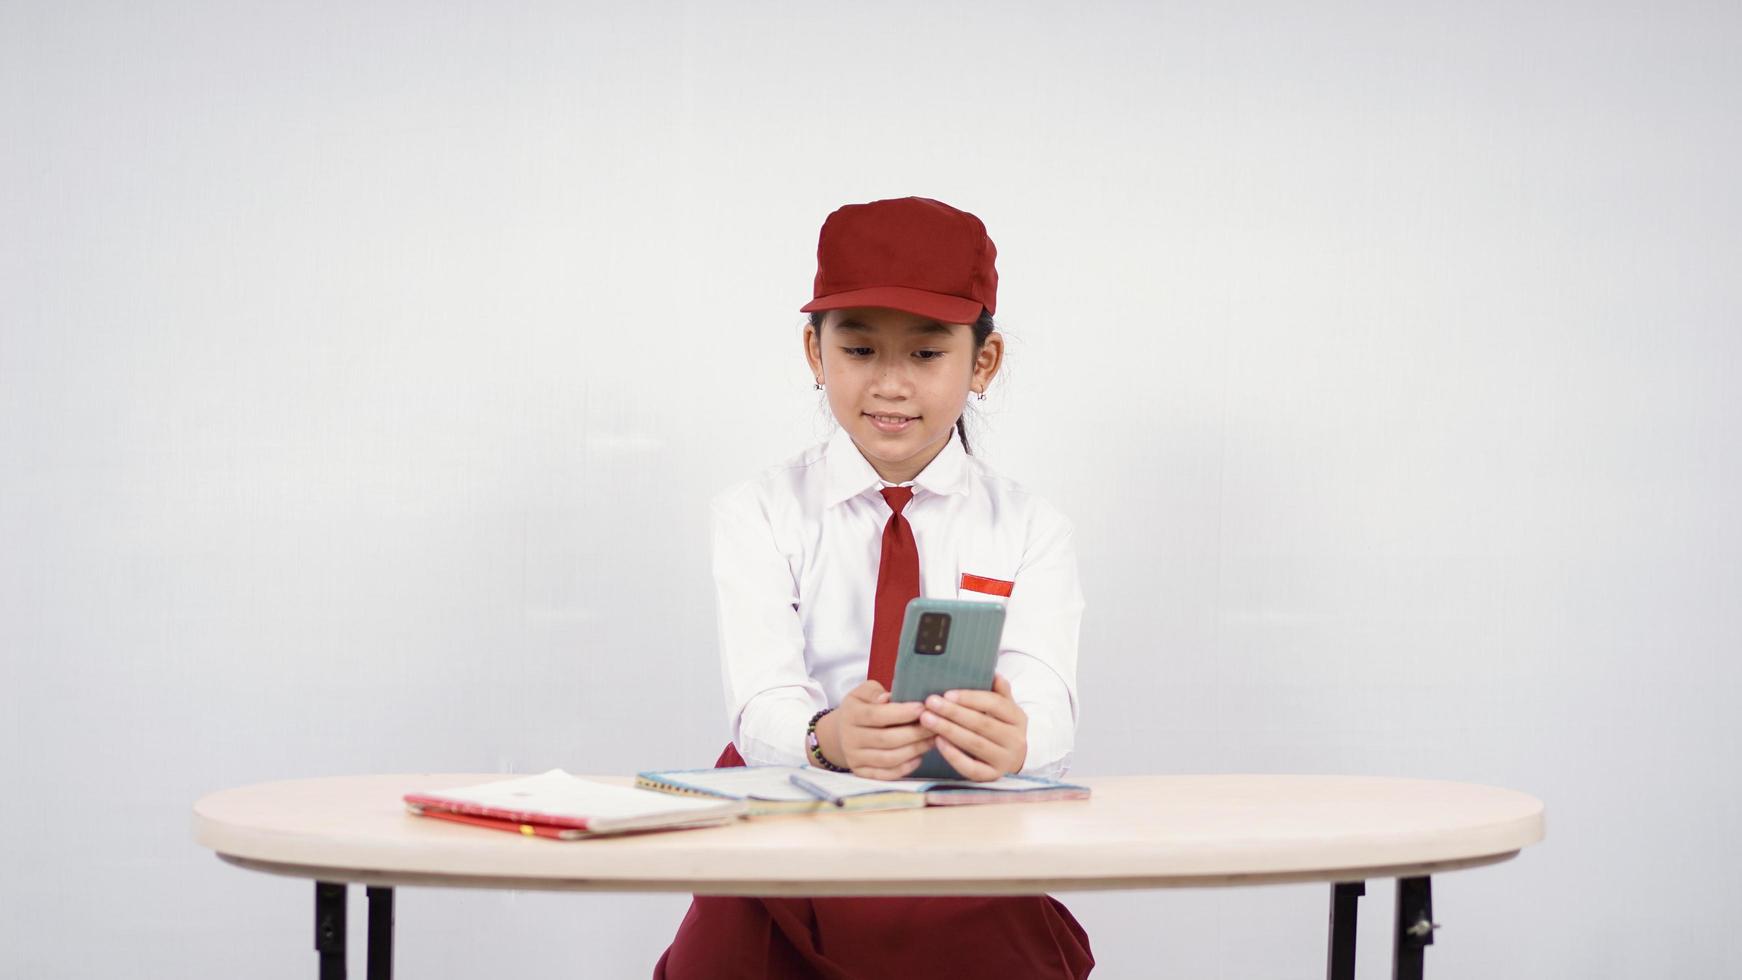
868,939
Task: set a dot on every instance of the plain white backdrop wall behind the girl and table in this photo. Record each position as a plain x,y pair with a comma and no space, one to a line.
365,372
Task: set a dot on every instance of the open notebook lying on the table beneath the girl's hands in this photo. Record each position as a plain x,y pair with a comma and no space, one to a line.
769,789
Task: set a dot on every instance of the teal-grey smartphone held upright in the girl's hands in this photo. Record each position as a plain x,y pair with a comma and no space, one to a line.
947,645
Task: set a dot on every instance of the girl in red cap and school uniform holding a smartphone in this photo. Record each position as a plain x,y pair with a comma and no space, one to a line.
814,565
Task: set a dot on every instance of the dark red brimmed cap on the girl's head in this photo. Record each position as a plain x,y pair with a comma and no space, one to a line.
907,253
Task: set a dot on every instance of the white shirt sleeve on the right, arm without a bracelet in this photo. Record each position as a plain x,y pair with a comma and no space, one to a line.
1039,652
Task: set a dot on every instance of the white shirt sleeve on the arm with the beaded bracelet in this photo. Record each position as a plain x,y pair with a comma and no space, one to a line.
762,643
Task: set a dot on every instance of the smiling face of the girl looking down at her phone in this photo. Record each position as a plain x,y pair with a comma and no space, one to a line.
898,382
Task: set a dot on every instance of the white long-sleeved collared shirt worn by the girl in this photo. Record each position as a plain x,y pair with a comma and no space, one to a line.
797,556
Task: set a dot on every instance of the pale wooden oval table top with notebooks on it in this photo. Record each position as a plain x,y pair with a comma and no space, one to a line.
1135,833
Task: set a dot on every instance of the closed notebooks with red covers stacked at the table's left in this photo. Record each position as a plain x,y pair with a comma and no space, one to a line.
564,807
